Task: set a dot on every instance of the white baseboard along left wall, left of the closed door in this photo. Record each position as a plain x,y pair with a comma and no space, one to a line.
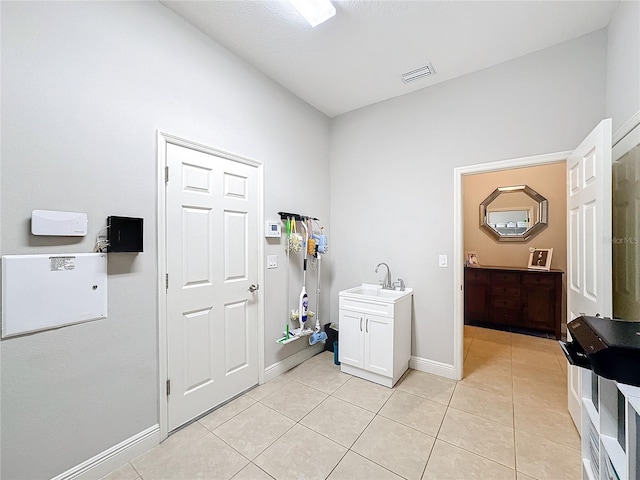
114,457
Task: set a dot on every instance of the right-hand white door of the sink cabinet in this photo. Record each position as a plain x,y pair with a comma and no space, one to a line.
378,344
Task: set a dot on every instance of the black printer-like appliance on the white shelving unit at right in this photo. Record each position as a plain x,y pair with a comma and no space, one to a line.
611,348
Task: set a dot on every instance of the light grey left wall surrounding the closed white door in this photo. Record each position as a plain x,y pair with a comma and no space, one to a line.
85,86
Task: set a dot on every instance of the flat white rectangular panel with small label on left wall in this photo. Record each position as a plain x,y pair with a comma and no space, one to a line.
40,292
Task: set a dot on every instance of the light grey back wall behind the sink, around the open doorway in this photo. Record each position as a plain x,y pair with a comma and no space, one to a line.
393,162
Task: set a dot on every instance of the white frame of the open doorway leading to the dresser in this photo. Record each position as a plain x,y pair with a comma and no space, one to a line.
458,238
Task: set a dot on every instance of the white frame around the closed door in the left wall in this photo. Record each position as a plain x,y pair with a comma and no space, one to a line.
163,139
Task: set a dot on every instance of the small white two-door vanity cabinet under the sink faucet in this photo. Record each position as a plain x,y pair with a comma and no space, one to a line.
375,334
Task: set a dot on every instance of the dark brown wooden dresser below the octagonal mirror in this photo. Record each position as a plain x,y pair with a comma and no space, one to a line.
513,298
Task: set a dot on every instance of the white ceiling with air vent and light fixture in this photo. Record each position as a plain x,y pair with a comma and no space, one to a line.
357,57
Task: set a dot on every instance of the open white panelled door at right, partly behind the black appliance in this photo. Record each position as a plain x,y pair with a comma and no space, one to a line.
588,239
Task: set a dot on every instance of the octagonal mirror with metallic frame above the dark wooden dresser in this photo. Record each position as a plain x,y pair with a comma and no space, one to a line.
514,214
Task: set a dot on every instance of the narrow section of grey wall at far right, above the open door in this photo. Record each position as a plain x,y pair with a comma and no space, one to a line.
623,63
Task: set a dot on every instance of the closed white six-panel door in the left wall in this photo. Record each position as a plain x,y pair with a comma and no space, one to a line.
211,244
